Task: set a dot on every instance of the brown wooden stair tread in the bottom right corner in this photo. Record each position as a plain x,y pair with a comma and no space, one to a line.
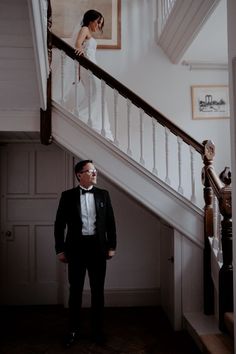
217,343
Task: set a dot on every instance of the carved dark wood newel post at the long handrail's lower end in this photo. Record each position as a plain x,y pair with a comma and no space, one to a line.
209,153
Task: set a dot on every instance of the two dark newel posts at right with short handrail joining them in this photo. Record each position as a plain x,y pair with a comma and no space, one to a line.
221,188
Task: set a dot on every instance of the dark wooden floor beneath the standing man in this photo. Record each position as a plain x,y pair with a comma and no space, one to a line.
40,330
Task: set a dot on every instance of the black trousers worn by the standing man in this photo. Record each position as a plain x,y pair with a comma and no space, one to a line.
90,258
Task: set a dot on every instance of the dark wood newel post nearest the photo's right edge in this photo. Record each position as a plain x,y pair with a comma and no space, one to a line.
226,271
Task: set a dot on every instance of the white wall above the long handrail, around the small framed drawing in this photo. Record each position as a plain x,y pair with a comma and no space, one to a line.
144,68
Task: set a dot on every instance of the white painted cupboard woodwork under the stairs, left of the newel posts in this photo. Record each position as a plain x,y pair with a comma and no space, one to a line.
180,292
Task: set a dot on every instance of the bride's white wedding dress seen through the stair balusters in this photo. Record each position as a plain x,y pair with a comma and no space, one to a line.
88,86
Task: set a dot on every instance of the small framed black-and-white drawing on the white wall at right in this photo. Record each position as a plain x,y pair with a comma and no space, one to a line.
210,101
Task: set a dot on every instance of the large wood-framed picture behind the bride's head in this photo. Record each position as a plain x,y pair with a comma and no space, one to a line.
66,15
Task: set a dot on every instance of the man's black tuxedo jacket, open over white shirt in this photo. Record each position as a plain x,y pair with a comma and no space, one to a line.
68,218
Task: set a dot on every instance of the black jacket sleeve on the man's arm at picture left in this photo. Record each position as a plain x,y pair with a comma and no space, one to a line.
60,225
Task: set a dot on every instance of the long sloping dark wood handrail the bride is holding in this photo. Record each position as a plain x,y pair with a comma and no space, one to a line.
127,93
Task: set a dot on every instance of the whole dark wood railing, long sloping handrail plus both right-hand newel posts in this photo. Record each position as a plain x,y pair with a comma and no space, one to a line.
210,181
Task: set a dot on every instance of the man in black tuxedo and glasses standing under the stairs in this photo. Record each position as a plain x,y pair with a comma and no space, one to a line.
86,213
